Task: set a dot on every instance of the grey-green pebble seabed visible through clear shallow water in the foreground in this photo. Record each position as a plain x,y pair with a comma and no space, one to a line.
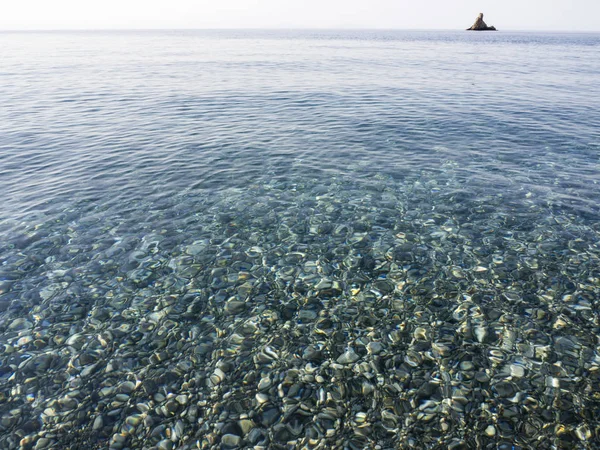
421,313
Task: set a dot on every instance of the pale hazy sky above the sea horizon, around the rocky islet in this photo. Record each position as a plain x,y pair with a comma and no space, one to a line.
577,15
